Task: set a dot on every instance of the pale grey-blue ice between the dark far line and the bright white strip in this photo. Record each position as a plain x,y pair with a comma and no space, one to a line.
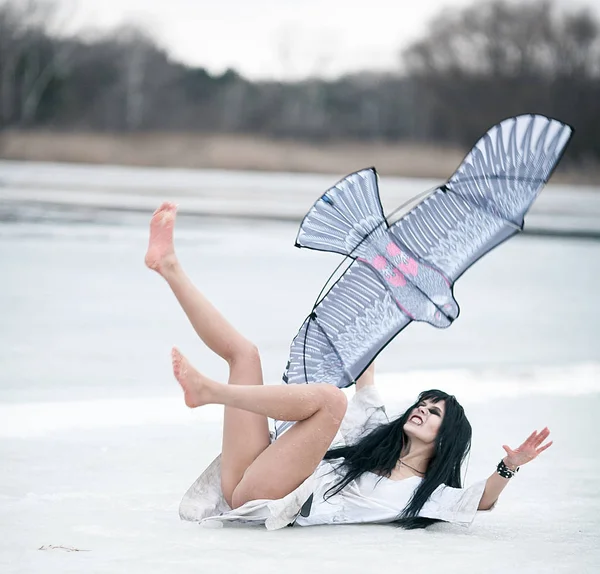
82,316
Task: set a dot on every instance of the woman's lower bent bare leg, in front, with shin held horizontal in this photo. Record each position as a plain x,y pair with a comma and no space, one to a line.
285,464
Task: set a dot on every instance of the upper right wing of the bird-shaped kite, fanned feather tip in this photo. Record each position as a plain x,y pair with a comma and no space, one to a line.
485,201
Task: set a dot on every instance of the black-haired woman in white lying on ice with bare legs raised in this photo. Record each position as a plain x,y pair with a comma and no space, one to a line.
405,471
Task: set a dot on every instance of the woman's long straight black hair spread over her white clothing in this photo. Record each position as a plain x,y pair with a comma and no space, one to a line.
380,450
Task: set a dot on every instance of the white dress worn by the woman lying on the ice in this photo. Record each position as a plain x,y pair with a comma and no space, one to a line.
368,499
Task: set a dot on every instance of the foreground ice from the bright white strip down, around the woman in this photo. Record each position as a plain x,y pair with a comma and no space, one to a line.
112,489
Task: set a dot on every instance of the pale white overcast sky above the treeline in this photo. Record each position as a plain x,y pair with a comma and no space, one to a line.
283,39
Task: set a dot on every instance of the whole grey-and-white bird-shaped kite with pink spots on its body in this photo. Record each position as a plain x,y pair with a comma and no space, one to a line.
405,271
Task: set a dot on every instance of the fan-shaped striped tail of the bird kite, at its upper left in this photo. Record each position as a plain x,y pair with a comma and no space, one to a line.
345,216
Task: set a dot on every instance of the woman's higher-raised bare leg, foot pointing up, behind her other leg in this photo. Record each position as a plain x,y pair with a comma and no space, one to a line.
245,434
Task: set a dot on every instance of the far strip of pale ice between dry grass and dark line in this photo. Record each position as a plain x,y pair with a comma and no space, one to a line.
76,188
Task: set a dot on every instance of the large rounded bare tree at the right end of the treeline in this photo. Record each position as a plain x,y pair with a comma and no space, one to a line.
499,58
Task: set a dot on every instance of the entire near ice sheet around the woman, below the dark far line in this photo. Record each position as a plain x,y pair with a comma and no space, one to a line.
97,447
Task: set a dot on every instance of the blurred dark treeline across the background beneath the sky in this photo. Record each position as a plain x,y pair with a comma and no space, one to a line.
472,68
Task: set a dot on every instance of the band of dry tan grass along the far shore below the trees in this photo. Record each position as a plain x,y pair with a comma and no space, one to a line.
242,152
